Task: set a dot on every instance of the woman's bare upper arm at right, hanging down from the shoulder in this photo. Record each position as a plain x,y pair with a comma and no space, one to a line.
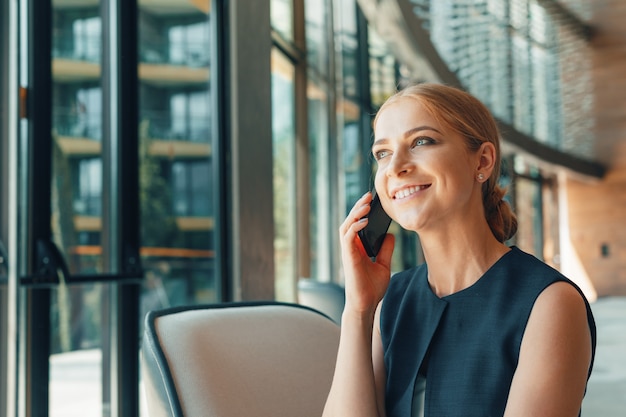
555,356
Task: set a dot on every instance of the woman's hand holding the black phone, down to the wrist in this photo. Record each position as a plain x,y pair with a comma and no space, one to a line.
365,281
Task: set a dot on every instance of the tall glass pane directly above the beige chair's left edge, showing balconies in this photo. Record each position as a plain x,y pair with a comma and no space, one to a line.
176,168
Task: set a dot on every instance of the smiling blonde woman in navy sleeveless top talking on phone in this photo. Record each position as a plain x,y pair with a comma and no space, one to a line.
481,329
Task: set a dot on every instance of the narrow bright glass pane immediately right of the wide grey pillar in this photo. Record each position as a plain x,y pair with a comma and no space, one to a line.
285,172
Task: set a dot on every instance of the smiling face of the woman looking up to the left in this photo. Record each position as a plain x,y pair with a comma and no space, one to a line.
426,176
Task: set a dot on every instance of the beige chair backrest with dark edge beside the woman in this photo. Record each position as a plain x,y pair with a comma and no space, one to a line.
235,360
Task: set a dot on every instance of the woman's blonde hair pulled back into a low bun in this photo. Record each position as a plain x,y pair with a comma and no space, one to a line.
466,115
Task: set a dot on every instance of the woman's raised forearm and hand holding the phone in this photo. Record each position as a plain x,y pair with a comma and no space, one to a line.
356,389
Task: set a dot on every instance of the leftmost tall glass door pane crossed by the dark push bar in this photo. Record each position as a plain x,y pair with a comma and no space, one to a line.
79,344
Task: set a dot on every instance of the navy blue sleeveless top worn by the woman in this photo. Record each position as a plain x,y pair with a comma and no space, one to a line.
468,343
